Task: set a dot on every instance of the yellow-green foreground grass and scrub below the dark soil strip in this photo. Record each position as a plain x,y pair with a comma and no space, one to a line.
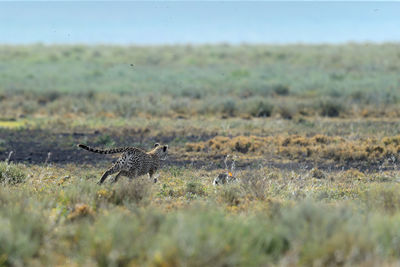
269,217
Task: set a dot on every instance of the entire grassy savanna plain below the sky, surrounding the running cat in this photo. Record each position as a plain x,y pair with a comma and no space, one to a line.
313,131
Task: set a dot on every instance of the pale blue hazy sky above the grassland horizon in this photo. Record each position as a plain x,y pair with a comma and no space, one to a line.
198,22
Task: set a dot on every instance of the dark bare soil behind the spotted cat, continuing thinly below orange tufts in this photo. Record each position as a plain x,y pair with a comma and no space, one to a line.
34,146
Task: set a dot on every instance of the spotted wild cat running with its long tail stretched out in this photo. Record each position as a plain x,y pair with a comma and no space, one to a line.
133,162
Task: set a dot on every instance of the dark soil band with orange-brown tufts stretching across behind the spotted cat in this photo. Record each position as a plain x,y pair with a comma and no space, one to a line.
199,151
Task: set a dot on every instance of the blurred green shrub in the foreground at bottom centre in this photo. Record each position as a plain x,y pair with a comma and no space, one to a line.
199,237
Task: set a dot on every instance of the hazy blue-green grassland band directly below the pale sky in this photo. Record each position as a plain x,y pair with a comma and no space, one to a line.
345,80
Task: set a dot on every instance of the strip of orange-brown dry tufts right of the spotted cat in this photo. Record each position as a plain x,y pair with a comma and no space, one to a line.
318,148
